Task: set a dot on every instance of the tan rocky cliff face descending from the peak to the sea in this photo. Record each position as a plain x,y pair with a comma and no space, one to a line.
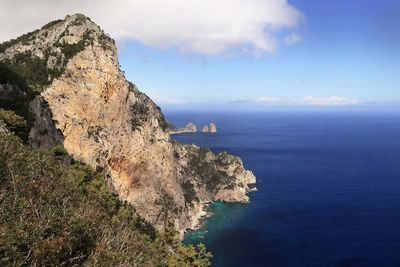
84,102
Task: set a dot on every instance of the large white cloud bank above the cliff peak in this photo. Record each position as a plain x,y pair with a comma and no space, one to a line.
209,27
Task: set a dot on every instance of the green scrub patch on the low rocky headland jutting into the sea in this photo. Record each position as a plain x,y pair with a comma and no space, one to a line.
210,175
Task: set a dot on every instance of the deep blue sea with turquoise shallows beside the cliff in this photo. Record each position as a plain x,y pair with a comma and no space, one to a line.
328,188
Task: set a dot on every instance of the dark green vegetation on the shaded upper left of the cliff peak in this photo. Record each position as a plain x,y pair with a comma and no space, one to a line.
26,75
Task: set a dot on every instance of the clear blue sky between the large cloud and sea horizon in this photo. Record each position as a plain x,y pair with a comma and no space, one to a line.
349,49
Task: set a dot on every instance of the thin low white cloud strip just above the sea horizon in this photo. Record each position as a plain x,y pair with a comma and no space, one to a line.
309,100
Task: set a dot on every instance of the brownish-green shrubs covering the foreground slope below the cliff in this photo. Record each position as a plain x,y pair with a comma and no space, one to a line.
51,215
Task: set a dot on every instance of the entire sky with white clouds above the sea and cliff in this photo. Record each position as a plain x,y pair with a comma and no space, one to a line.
253,54
